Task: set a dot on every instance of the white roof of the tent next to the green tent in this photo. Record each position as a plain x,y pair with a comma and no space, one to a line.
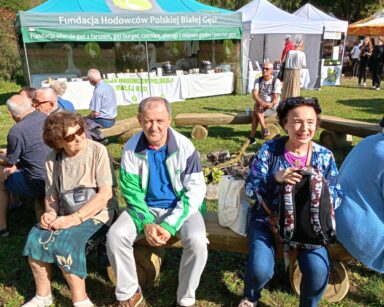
262,17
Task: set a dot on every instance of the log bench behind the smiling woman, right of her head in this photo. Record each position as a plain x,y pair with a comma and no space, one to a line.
338,131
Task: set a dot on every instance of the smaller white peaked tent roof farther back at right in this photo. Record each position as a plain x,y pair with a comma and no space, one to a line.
331,24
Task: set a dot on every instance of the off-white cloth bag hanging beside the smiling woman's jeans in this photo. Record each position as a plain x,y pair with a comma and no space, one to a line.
233,205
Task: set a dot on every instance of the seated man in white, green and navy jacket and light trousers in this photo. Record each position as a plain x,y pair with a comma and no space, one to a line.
163,185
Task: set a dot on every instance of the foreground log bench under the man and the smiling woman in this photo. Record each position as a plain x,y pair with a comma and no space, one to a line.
149,259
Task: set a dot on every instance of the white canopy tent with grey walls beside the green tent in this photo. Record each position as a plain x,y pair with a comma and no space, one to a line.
265,27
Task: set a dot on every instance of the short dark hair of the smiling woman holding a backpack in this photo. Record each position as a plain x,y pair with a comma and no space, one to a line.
293,102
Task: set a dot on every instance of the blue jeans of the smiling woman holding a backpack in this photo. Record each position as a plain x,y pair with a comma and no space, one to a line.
314,265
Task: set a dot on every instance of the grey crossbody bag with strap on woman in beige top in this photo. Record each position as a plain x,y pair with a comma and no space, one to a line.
72,200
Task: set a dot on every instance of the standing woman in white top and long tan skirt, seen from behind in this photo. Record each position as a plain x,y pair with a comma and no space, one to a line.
294,62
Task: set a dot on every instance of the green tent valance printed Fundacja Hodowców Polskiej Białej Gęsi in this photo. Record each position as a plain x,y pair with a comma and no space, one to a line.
40,27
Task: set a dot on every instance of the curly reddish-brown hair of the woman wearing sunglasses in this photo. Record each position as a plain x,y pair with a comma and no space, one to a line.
56,127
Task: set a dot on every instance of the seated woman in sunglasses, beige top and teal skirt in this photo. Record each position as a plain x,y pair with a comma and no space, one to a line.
79,205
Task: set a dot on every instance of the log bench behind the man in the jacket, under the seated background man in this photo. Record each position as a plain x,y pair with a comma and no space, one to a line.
201,121
